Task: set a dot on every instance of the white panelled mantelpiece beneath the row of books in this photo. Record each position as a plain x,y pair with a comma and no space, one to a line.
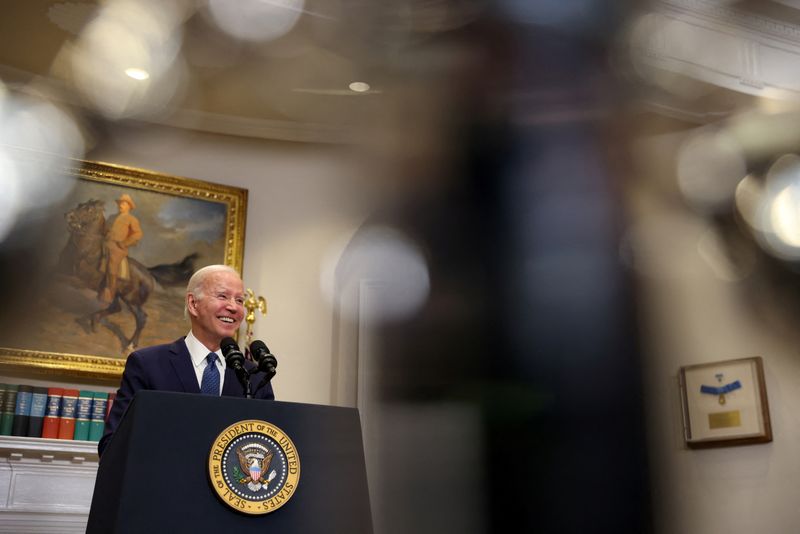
48,484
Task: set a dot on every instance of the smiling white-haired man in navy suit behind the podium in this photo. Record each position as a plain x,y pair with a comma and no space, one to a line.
215,307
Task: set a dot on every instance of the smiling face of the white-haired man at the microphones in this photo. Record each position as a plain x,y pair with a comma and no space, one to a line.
217,310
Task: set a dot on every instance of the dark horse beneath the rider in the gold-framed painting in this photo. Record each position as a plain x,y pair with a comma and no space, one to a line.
82,256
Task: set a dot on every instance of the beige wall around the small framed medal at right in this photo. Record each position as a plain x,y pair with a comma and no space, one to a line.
693,312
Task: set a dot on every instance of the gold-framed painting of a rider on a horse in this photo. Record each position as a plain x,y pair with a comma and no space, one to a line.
116,274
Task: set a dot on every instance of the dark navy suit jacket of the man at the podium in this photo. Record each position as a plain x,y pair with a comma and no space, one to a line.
169,368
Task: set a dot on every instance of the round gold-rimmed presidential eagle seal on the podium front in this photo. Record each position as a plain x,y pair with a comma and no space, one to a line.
254,467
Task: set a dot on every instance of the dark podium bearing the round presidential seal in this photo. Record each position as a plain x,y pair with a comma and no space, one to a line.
154,474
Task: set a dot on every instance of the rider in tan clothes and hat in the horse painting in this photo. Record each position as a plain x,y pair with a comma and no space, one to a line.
124,231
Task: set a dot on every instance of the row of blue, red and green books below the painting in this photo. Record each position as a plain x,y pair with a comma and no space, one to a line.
53,412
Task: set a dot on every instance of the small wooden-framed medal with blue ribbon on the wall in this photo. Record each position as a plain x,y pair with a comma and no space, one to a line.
725,403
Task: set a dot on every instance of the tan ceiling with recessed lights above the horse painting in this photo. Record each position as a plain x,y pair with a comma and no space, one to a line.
293,86
